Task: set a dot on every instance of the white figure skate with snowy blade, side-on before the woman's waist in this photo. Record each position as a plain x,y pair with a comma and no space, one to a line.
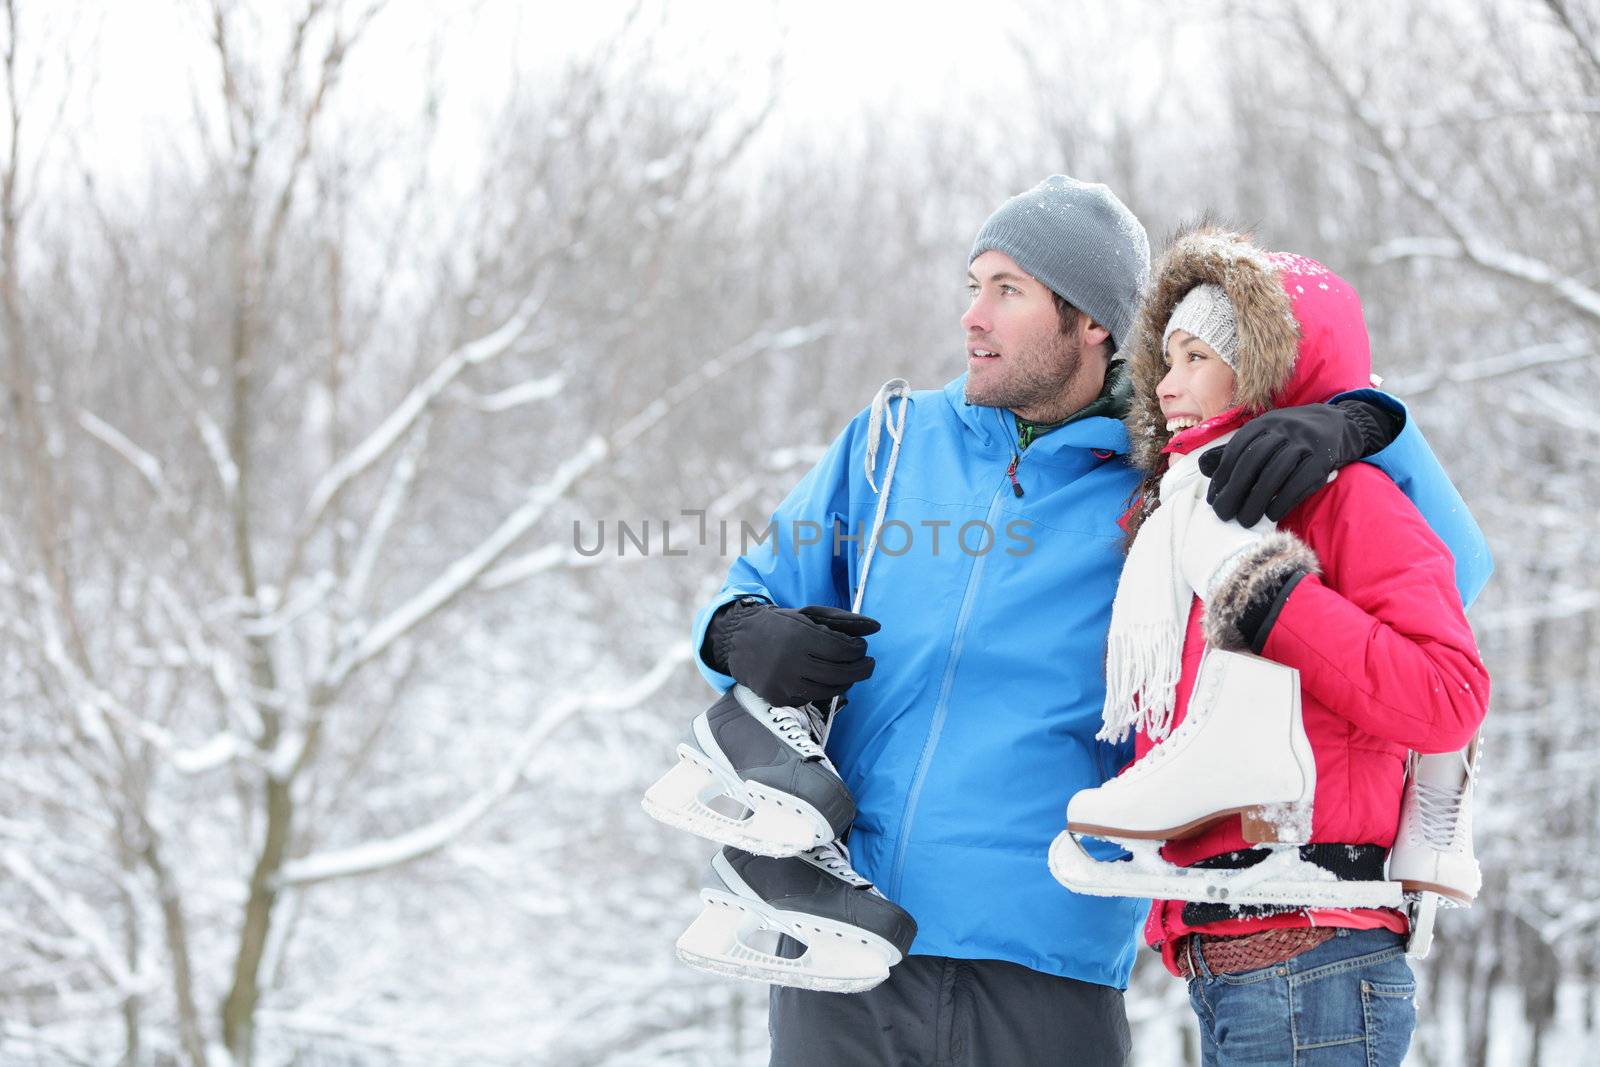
1241,751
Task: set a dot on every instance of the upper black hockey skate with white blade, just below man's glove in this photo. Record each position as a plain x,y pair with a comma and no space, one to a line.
754,777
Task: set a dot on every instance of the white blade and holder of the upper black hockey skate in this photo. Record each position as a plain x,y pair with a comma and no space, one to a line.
769,823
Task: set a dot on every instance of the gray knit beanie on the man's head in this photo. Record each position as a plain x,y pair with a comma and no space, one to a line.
1082,242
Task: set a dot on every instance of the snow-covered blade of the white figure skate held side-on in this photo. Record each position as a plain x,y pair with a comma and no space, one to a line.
1281,879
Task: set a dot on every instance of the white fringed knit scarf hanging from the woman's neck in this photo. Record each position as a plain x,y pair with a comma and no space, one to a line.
1145,650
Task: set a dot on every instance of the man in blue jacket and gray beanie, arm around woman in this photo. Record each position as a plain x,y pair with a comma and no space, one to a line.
975,717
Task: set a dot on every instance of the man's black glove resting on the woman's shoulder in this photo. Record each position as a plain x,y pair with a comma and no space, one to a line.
1282,457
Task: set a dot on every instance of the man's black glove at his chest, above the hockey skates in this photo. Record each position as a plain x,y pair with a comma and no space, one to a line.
790,657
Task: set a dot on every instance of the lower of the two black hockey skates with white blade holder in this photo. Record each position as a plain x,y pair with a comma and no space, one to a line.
806,921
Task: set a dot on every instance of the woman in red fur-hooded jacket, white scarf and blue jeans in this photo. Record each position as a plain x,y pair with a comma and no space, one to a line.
1353,591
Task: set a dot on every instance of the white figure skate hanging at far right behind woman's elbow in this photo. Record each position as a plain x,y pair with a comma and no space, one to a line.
1433,855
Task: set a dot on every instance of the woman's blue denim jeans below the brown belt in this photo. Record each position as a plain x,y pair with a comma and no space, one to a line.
1348,1002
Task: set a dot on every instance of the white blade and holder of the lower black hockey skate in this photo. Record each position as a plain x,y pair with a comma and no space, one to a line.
738,938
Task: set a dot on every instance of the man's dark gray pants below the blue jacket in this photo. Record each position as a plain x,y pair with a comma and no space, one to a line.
953,1013
